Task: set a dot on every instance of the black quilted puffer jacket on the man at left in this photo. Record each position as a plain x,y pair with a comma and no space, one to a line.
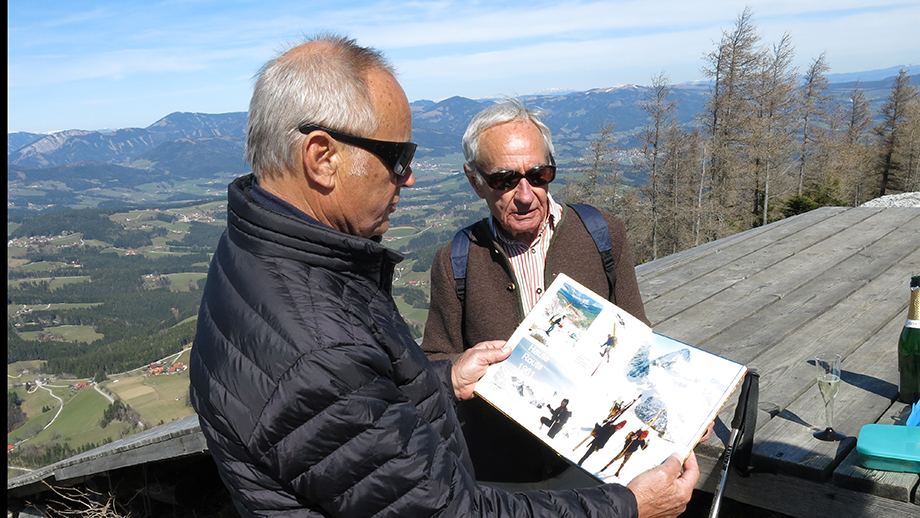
314,398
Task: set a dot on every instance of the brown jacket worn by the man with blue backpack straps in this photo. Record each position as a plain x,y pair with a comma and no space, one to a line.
501,450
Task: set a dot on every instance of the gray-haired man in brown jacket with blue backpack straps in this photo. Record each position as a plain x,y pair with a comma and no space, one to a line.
513,257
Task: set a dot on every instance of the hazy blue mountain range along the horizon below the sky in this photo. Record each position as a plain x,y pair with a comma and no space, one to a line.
208,148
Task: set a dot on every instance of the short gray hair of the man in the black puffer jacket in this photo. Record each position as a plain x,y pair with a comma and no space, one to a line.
323,82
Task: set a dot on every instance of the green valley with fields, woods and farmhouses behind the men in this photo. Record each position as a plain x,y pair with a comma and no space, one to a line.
99,294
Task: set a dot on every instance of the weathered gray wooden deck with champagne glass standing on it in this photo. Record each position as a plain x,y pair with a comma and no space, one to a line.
832,279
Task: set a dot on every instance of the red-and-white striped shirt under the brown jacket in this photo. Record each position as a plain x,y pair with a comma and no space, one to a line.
528,260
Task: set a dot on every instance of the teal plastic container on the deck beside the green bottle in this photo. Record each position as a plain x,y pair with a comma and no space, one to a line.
889,447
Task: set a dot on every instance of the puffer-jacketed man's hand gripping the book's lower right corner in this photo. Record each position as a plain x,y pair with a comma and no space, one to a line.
664,491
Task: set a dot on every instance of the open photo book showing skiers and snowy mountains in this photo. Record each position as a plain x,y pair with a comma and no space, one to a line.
600,388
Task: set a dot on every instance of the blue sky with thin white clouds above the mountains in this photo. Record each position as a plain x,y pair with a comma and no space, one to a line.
98,64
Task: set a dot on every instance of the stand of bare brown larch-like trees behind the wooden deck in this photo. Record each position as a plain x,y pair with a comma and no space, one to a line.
770,143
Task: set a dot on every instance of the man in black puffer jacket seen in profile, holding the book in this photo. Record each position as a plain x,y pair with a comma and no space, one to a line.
313,397
